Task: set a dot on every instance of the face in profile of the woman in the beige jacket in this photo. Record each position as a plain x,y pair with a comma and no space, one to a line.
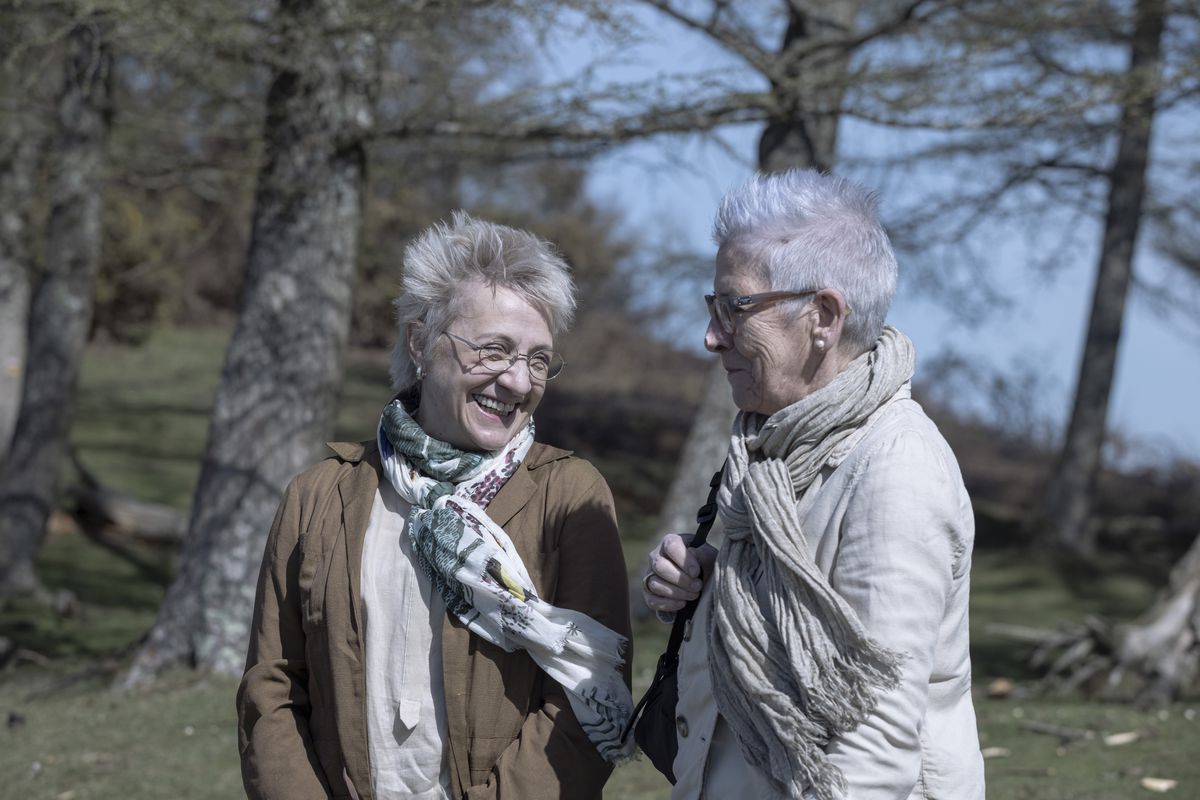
770,362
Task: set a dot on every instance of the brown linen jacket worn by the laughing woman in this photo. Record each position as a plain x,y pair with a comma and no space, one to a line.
302,714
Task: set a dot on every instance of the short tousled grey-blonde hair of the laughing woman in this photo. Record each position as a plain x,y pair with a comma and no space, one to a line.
449,256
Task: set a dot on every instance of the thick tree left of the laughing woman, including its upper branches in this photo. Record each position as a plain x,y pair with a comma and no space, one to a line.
277,400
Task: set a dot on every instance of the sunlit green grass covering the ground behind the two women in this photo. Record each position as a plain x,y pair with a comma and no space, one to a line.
141,426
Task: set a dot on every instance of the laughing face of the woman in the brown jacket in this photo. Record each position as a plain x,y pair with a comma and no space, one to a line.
465,405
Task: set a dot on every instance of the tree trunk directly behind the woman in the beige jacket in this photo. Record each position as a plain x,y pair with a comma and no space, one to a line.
806,135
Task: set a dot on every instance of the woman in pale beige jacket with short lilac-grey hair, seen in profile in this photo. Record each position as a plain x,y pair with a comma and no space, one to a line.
829,657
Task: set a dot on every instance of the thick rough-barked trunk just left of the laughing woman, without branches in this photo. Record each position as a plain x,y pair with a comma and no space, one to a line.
277,399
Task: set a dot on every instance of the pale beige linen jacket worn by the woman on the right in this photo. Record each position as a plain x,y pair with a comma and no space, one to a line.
891,526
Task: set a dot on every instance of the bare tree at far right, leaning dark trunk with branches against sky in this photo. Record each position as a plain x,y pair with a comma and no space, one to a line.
1051,107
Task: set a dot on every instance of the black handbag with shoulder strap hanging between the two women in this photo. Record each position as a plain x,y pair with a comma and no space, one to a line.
655,717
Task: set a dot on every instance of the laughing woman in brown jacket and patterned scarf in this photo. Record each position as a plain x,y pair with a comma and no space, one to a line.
442,612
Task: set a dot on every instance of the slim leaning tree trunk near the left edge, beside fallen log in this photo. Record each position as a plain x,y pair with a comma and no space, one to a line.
61,314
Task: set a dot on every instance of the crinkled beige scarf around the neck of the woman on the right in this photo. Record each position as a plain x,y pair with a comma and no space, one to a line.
791,664
